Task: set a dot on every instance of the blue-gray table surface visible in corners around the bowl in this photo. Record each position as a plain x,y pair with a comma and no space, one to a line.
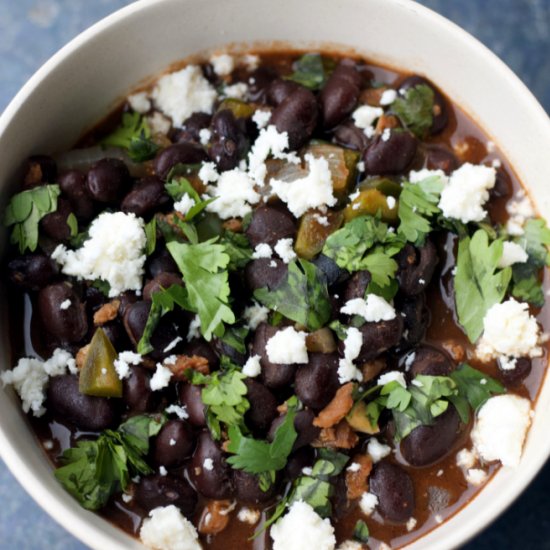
32,30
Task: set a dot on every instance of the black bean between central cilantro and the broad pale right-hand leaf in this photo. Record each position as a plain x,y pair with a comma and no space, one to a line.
416,267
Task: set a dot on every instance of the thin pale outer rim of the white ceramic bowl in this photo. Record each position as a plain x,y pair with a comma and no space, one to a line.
74,521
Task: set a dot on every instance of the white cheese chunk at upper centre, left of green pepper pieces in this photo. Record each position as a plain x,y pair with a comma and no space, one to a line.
311,191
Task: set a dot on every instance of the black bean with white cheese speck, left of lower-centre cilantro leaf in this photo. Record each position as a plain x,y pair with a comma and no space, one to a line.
212,480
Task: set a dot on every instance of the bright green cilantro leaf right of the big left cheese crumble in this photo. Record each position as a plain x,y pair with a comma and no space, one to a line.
204,269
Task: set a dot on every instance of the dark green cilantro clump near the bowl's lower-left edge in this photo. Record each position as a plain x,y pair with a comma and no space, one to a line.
94,470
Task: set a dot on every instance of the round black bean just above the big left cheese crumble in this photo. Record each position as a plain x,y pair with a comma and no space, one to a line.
108,180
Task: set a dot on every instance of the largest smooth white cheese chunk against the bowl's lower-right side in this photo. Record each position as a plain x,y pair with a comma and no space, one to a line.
500,428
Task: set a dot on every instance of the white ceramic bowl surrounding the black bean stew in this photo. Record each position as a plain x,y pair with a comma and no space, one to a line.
80,84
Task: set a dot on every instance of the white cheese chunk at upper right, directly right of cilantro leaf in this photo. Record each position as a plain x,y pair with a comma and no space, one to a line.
466,192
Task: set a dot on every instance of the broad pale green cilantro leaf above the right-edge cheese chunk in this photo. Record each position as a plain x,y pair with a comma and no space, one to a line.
478,282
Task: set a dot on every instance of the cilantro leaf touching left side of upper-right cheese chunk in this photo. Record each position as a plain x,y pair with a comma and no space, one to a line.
417,204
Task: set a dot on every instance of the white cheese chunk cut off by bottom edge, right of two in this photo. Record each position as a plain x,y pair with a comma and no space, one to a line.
301,528
